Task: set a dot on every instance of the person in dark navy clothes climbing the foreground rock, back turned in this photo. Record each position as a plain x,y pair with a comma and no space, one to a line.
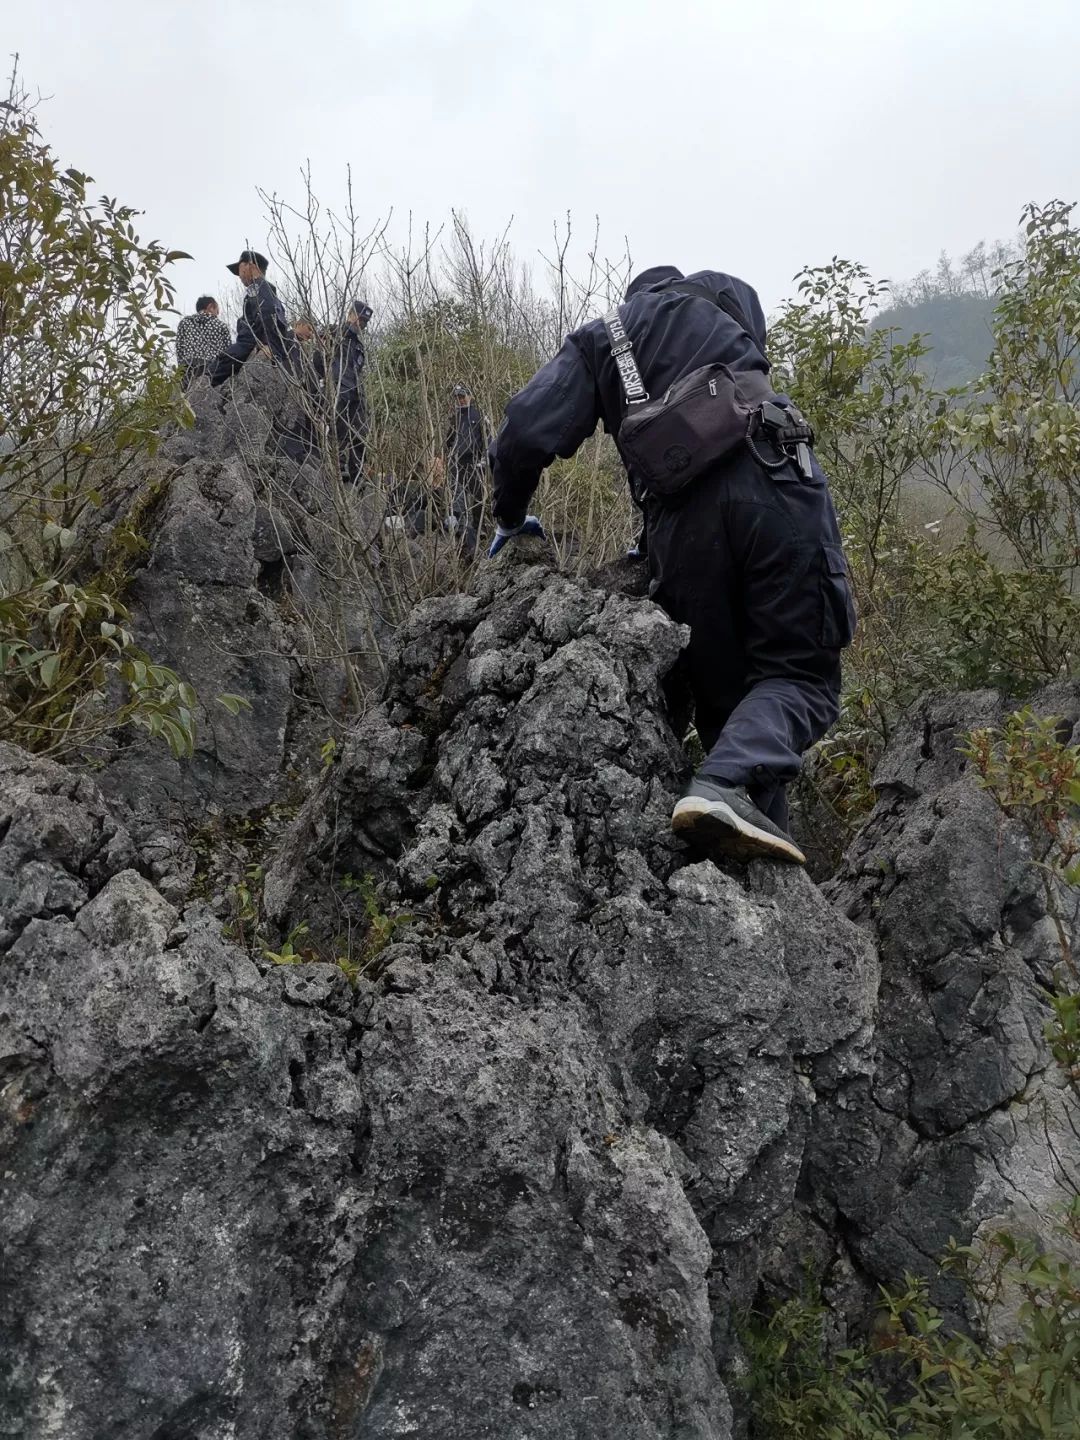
750,557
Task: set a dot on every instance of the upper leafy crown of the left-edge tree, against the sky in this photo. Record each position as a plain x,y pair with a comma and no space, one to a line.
86,375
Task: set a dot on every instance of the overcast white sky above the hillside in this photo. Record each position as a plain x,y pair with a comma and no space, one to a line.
750,136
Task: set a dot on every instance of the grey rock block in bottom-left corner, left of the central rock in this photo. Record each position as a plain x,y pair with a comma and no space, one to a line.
179,1146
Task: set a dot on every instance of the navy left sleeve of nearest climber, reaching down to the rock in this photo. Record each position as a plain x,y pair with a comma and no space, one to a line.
555,414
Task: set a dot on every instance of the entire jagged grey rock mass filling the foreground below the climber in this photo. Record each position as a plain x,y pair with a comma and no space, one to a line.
578,1107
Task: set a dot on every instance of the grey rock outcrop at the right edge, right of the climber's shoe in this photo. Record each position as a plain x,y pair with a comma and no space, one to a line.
963,1121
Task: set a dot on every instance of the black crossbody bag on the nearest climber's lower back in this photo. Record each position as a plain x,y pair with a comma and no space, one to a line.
670,443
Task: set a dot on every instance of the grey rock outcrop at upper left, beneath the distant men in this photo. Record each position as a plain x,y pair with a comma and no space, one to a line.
228,594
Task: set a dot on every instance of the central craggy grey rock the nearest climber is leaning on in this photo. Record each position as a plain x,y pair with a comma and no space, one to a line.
597,1039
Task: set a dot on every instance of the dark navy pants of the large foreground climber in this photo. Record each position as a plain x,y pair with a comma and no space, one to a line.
751,561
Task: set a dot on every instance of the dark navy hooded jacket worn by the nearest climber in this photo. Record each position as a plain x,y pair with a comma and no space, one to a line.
672,333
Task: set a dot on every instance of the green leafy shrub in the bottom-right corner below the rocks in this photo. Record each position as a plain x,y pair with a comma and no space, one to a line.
924,1382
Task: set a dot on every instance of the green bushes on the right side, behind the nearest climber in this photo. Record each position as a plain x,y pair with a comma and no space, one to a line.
960,509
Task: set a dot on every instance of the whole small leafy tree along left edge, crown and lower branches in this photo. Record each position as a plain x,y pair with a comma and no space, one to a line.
86,390
